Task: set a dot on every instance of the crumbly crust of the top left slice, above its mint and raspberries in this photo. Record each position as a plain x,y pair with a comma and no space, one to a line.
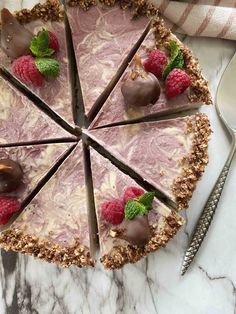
51,10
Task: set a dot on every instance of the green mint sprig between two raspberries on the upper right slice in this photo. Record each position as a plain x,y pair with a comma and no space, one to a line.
176,59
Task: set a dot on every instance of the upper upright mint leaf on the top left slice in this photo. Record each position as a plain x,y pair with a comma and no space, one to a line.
40,45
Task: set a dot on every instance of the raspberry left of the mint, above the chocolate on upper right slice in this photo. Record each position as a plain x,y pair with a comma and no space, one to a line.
156,62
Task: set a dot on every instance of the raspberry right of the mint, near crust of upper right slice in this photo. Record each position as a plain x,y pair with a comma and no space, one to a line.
177,82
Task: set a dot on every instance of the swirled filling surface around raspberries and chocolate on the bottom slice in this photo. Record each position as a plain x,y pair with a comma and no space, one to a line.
110,183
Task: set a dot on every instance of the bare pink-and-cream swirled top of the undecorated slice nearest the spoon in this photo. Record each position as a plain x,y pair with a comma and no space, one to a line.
154,150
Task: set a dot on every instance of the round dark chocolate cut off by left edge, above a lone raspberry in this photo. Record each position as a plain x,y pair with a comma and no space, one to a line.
11,175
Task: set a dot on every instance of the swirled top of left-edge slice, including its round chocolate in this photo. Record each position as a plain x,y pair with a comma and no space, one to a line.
34,162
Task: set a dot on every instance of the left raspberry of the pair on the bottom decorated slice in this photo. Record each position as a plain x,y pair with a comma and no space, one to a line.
113,211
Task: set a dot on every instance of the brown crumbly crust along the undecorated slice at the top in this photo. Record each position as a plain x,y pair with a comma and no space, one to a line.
138,7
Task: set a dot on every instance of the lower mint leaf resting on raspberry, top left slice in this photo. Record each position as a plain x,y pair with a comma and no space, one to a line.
48,67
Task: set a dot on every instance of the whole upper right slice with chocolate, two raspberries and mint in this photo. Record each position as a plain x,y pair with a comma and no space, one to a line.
160,45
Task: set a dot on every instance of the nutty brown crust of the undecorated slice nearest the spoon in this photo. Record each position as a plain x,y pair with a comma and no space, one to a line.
194,164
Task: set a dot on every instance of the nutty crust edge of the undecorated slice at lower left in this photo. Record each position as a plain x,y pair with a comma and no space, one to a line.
17,241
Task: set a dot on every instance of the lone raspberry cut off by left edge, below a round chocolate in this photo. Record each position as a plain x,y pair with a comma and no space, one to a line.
8,206
